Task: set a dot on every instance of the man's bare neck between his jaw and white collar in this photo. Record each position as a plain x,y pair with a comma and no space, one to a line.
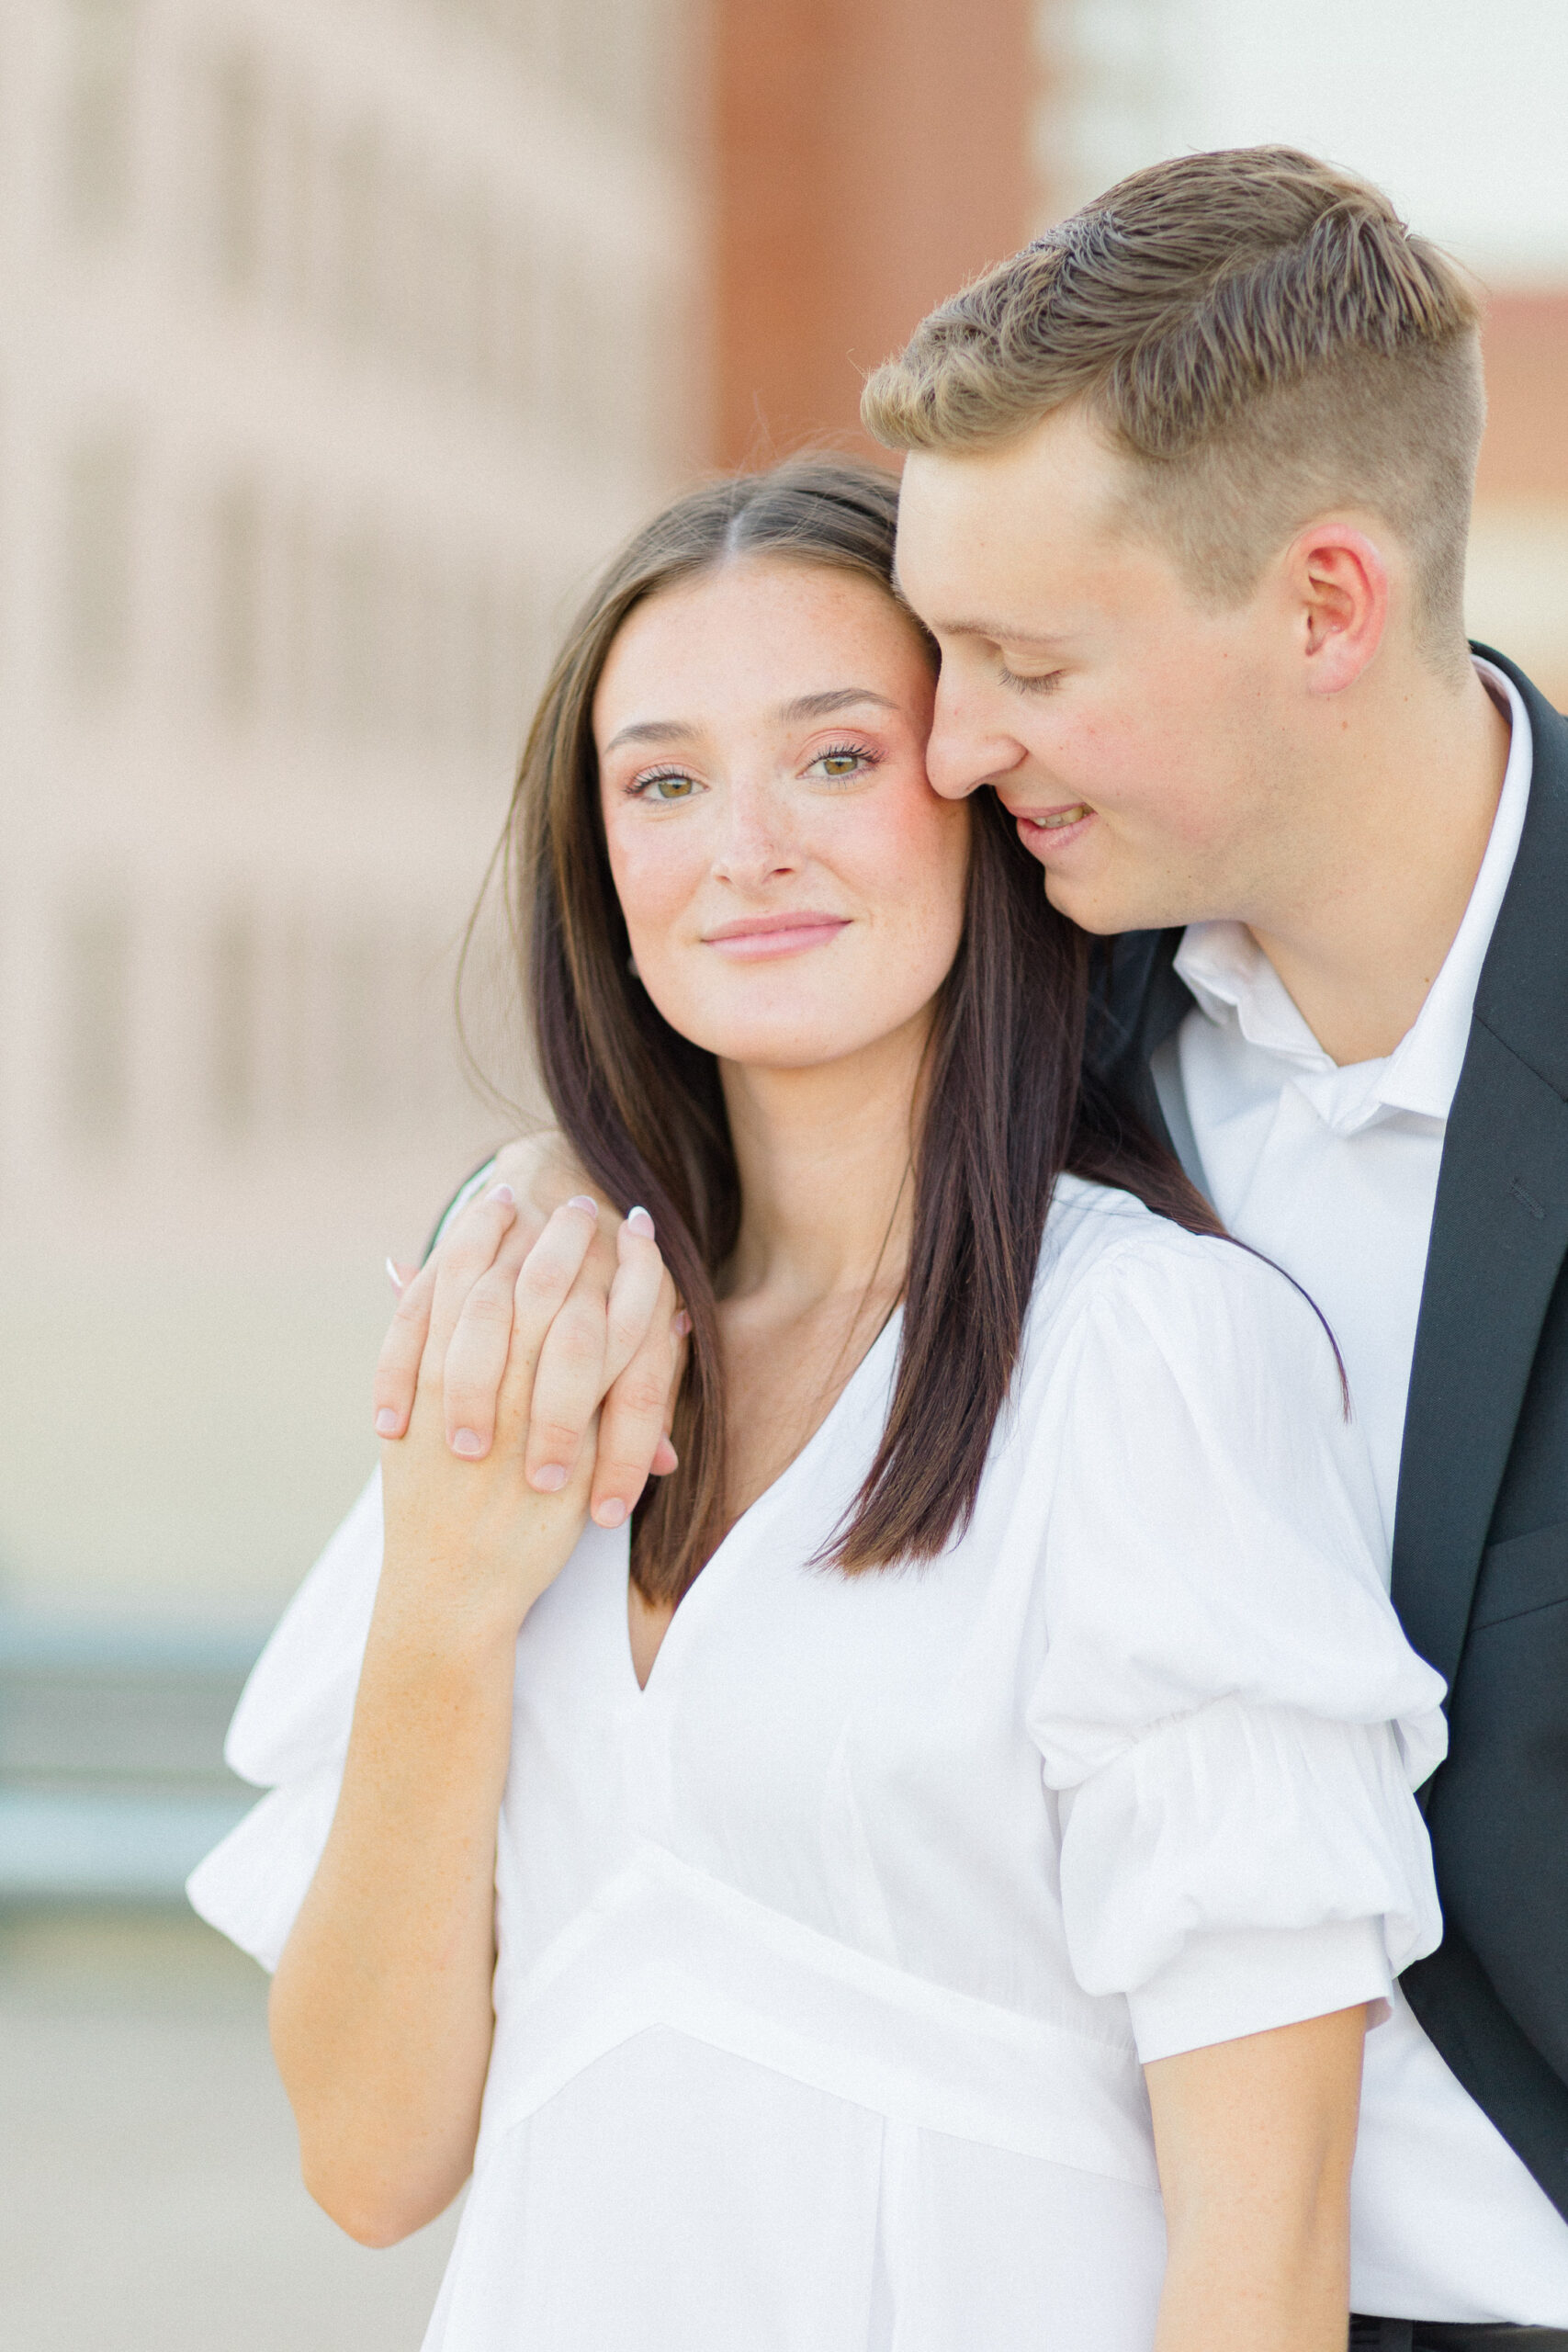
1362,949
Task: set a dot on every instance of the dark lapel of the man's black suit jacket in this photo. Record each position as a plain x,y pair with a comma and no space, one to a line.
1501,1227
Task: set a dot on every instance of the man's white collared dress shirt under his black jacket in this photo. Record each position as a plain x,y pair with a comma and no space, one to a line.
1332,1172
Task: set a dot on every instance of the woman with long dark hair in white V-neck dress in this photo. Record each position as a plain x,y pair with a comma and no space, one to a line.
986,1805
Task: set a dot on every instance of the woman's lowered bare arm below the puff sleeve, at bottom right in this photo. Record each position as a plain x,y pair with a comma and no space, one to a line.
1254,2144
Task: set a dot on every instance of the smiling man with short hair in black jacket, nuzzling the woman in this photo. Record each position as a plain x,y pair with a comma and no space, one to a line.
1186,509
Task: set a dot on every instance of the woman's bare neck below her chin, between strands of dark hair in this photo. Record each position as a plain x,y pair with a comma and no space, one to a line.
824,1161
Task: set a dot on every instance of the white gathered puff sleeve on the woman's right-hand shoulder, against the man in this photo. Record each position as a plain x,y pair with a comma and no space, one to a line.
1228,1704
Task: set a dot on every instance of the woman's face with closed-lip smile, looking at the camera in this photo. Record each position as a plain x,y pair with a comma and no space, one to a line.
791,883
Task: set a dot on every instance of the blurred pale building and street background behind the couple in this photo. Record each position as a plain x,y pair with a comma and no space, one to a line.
340,340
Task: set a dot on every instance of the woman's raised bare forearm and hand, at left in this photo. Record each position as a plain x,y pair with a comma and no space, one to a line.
382,2003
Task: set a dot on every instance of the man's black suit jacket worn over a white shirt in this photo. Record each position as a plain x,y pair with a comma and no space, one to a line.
1482,1523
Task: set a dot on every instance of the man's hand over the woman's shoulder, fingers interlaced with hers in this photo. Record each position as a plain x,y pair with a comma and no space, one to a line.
612,1351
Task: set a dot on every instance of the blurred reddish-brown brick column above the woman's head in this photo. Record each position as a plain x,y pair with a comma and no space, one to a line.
871,156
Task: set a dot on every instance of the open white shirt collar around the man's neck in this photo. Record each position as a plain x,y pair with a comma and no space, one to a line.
1238,987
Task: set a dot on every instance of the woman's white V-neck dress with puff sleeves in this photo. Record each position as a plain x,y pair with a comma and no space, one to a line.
826,1965
